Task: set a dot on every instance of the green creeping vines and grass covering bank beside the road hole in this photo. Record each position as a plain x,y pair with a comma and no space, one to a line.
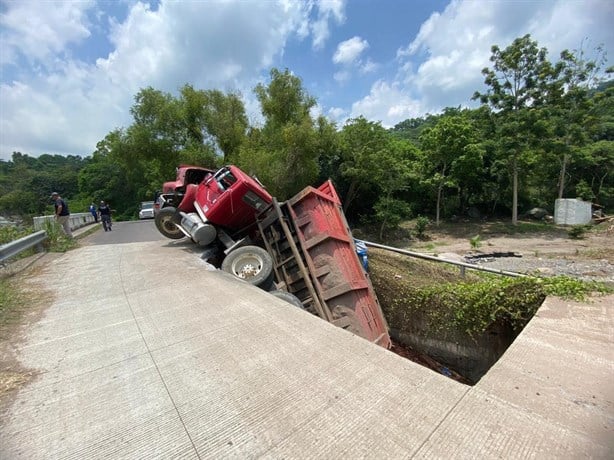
448,305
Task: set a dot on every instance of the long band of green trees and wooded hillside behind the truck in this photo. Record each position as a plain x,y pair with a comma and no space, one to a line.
544,130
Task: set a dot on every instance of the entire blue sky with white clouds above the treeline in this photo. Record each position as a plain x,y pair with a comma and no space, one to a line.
69,70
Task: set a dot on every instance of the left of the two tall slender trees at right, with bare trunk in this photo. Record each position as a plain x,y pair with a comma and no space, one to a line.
518,83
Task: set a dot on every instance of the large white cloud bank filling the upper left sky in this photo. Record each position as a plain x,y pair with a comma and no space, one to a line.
63,103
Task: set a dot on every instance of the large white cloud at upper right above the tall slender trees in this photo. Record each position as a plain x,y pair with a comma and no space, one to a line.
441,66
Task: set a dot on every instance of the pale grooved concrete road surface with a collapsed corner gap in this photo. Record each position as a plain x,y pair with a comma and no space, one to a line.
143,351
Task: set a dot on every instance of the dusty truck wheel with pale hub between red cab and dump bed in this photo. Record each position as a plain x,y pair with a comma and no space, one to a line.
252,264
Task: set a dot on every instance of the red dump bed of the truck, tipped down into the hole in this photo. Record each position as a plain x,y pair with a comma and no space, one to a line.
314,258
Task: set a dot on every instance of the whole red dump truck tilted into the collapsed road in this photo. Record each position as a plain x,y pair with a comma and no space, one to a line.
302,247
